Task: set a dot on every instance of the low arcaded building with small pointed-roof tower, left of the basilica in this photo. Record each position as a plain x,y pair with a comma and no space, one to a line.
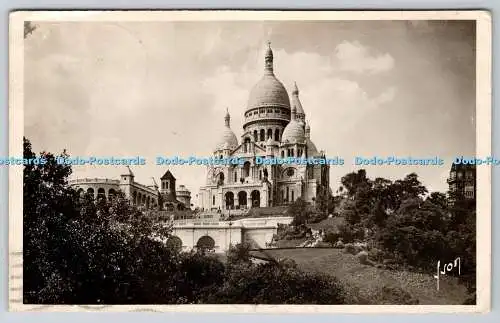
148,197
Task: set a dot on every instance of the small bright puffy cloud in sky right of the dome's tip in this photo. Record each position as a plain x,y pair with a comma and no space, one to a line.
357,58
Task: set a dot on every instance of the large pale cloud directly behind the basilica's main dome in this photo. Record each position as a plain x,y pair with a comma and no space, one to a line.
333,105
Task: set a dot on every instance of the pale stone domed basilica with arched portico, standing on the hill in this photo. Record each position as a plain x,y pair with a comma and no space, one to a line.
274,126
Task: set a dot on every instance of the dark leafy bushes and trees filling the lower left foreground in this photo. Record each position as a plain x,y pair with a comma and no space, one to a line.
81,251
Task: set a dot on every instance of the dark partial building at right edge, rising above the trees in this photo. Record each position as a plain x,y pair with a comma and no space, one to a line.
462,183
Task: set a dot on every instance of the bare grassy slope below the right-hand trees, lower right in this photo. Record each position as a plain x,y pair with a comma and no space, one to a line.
366,282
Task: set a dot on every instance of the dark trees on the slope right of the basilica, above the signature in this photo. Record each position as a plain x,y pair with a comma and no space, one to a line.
414,230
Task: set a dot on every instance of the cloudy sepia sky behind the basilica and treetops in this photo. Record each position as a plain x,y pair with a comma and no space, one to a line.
368,88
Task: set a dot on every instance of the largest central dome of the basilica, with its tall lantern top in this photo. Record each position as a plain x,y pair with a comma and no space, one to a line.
269,91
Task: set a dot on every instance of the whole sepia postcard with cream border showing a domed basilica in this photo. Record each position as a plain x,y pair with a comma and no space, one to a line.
250,161
